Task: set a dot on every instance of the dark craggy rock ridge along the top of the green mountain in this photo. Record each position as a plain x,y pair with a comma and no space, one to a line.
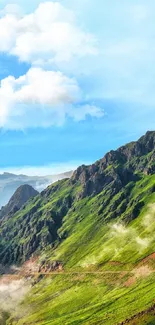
115,174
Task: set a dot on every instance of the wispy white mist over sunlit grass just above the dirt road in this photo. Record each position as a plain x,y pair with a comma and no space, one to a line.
120,238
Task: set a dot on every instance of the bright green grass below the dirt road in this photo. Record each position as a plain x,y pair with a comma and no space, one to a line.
86,299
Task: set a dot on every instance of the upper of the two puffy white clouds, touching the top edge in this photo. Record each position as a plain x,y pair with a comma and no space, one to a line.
49,34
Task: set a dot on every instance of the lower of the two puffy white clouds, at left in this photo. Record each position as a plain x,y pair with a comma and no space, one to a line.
41,98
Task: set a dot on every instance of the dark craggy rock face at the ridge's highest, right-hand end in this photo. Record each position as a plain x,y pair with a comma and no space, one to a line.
118,168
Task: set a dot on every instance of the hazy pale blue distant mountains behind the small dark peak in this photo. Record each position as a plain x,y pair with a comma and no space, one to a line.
10,182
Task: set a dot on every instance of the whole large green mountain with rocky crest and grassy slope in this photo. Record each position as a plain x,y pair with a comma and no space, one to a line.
98,227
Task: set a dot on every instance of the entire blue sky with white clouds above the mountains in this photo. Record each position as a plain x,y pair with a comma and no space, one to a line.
77,79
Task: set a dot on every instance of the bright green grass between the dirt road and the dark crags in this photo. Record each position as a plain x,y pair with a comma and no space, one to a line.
91,240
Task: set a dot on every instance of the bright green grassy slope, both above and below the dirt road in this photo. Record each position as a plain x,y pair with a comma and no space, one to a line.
93,241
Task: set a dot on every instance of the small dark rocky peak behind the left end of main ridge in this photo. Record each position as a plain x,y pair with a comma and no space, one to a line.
19,198
